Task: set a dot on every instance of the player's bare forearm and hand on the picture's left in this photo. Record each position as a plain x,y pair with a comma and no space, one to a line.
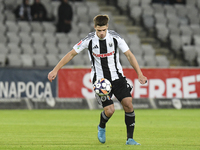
52,75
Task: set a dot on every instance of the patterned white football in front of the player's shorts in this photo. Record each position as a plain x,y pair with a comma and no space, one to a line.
102,87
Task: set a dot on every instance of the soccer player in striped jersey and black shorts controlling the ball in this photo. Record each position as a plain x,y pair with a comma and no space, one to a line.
103,47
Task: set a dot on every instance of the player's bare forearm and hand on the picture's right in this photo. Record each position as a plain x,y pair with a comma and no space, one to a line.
132,60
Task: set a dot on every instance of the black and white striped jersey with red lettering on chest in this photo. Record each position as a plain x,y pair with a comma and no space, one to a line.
104,54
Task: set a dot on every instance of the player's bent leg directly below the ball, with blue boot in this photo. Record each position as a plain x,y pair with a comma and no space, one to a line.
108,110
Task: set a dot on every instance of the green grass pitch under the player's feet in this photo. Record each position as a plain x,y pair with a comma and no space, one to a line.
160,129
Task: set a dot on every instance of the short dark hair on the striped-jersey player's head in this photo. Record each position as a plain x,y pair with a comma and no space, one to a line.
101,20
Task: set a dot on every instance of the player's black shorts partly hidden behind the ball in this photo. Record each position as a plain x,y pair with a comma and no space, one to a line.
121,89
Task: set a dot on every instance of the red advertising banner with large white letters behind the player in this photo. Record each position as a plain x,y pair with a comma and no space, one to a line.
162,83
